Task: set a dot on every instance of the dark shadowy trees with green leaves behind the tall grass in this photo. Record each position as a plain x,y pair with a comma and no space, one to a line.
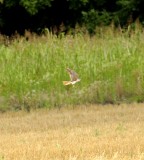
35,15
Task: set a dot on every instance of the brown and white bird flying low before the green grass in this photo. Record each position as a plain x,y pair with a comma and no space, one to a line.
74,78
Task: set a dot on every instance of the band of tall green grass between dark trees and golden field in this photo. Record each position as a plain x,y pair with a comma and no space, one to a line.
110,65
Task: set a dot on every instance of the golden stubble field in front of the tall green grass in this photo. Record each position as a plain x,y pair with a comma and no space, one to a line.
81,133
